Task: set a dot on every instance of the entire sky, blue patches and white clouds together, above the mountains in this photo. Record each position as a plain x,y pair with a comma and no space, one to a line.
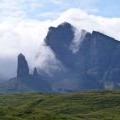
24,25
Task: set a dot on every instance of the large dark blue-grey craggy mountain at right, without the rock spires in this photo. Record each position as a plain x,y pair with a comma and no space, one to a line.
94,65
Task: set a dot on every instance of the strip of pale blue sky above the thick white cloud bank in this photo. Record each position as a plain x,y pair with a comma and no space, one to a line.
50,9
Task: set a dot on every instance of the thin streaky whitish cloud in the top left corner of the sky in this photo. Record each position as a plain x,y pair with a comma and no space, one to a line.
19,8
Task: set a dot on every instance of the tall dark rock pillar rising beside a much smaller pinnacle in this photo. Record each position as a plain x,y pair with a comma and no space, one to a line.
22,68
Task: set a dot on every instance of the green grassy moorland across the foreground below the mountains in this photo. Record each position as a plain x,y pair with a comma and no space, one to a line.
104,105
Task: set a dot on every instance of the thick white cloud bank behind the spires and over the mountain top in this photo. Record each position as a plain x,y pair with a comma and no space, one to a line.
26,35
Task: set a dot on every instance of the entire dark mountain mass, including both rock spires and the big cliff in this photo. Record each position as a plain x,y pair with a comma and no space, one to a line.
88,61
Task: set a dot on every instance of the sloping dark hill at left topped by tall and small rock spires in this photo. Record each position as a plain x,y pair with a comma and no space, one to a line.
24,82
